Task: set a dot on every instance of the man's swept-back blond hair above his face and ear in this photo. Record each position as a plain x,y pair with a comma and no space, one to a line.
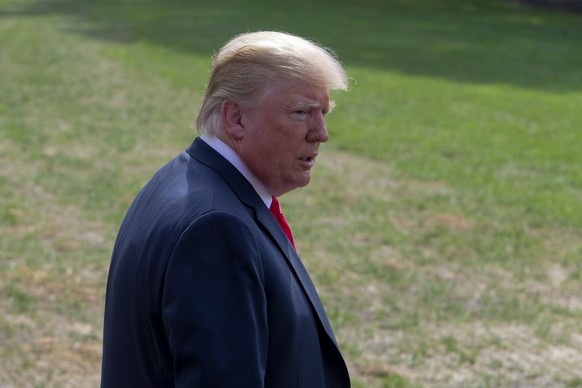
248,65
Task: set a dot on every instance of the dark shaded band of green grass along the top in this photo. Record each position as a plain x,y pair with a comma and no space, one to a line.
464,41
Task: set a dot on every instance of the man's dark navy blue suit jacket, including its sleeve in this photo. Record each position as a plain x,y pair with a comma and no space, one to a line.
205,290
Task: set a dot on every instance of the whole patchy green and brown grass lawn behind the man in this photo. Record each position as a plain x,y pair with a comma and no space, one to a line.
443,224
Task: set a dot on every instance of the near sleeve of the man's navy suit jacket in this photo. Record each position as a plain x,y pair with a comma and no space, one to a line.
214,305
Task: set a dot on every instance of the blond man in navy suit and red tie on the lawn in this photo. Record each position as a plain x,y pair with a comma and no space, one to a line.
205,287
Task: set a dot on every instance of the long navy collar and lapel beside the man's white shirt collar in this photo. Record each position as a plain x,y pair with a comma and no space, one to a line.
209,157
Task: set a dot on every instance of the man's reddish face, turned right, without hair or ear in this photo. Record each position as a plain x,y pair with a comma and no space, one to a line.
282,136
